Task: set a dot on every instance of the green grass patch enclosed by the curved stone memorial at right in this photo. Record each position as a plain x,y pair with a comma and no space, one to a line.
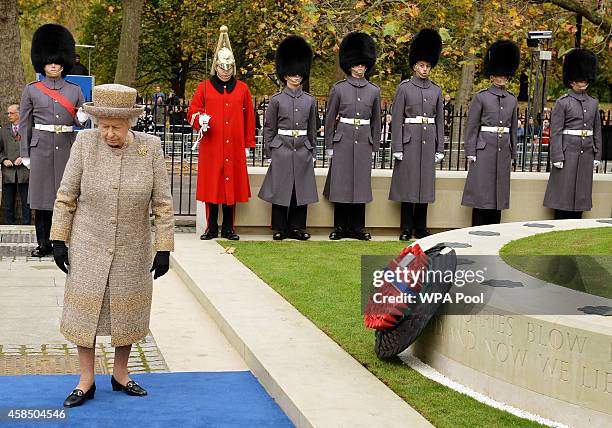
578,259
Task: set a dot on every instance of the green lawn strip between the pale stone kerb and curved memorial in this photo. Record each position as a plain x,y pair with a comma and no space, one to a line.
322,280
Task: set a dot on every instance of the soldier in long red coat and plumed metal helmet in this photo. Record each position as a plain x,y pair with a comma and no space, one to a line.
222,112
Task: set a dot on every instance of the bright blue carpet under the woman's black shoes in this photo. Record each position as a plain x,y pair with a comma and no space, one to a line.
225,399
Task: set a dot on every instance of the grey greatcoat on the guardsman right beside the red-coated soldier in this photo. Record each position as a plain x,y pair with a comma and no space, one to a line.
292,157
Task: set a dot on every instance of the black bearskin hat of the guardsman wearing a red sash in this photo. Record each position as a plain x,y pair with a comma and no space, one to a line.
52,44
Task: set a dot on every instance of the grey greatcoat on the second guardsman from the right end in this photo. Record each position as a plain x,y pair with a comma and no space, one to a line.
488,182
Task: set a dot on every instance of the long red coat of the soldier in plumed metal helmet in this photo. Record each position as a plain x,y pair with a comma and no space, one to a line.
222,169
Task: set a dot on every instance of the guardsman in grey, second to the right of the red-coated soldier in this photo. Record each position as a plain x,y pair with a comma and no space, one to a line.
352,135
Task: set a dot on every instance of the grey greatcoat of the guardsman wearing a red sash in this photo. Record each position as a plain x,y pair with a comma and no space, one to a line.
48,151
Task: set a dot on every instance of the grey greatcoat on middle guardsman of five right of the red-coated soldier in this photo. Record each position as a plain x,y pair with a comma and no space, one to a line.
414,177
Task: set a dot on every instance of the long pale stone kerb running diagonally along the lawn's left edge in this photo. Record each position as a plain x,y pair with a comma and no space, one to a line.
314,381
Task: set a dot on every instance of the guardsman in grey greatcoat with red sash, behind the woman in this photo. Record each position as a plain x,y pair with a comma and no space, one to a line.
48,112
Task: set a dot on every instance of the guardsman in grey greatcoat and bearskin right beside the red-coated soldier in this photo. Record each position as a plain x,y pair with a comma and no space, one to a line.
290,129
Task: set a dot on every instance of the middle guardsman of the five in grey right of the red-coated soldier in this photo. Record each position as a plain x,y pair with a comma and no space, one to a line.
417,135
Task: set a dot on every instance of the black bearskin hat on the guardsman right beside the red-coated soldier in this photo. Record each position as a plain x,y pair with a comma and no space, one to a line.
293,57
